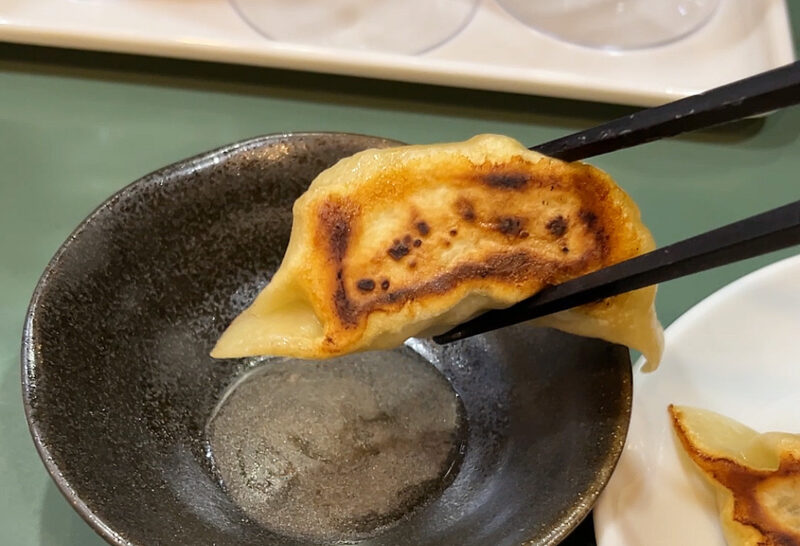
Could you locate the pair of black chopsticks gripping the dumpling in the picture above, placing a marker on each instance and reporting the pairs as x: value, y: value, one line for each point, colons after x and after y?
x: 766, y: 232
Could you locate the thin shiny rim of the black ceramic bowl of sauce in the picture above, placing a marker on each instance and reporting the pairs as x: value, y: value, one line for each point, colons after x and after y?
x: 572, y: 517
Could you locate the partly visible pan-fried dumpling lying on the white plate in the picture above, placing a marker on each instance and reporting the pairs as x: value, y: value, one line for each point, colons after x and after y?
x: 756, y: 476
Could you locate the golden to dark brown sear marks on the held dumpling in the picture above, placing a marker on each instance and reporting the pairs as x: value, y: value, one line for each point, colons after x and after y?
x: 481, y: 208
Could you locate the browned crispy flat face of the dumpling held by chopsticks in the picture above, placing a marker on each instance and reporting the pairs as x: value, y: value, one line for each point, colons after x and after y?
x: 518, y: 226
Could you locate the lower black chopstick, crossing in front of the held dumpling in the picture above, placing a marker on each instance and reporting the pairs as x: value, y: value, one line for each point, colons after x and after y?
x: 773, y: 230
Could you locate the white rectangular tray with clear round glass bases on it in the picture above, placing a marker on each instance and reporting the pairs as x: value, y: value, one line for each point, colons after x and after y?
x: 494, y: 51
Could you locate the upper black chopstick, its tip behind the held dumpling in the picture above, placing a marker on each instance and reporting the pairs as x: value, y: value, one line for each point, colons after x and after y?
x: 758, y: 94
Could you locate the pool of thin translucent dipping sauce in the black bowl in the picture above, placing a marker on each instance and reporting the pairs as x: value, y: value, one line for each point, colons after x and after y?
x: 338, y: 449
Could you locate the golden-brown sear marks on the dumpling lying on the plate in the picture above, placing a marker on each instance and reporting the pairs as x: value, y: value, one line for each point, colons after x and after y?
x: 748, y: 485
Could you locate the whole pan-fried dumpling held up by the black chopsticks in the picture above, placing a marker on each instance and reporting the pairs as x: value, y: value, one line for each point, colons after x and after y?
x: 400, y: 242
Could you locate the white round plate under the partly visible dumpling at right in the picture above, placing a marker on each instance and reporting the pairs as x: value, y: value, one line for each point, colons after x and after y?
x: 736, y: 353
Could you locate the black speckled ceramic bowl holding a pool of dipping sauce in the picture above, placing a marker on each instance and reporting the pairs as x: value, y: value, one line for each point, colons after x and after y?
x: 118, y: 384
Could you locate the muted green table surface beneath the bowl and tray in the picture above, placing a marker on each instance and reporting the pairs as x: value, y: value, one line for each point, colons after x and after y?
x: 77, y: 126
